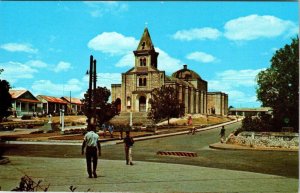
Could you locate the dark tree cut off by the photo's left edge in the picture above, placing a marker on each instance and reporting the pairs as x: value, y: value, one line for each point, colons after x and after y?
x: 5, y: 99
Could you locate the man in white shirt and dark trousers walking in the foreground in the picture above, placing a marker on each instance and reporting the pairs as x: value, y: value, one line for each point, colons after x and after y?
x: 91, y: 144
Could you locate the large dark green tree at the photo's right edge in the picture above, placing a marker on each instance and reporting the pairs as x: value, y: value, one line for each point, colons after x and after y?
x: 278, y: 86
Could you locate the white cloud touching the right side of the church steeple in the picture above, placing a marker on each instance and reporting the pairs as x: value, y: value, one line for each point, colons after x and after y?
x: 167, y: 63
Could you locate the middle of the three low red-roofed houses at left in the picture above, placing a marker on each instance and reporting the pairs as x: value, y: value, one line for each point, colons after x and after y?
x: 52, y: 105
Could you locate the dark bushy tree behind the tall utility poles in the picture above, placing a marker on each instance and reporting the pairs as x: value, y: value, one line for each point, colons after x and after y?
x: 104, y: 110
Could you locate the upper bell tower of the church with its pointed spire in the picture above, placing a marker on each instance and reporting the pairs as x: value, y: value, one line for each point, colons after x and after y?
x: 145, y: 54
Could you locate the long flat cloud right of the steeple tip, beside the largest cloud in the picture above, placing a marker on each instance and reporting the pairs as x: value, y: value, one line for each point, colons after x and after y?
x: 197, y: 34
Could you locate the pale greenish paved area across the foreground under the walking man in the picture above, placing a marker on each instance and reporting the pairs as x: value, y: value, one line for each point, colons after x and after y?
x: 115, y: 176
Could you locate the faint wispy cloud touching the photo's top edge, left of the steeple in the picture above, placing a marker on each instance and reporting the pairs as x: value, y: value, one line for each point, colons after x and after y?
x: 98, y: 9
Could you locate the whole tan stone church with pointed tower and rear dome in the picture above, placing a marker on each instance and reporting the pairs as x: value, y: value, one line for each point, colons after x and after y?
x: 133, y: 94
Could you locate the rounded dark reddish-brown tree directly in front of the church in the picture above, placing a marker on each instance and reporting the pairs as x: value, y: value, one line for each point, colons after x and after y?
x: 165, y: 104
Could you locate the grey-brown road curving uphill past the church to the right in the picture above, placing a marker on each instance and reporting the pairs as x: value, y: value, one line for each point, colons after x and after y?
x: 286, y: 163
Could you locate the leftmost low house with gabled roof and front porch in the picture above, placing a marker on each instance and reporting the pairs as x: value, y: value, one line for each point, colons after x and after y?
x: 24, y: 103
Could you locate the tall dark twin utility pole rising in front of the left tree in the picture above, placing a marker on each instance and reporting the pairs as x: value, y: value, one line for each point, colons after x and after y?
x: 92, y: 92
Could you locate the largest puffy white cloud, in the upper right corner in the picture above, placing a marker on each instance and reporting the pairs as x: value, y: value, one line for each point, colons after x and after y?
x: 255, y: 26
